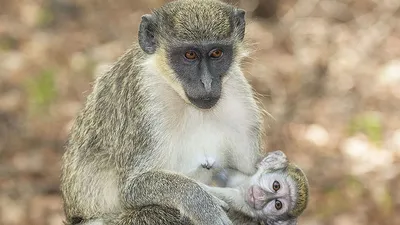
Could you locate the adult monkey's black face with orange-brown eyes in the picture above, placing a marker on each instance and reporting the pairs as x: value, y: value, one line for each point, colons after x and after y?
x: 200, y: 69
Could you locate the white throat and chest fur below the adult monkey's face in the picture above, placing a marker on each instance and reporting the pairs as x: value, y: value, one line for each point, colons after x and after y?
x: 188, y: 134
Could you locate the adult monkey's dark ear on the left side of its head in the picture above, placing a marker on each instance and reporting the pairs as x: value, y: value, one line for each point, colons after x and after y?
x: 147, y: 37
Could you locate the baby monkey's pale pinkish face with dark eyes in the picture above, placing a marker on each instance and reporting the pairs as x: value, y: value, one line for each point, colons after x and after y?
x: 272, y: 195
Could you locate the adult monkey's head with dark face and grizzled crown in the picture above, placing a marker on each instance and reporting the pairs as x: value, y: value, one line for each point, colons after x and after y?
x: 195, y: 43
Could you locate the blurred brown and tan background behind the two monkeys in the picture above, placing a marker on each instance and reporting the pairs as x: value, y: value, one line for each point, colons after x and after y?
x: 327, y: 72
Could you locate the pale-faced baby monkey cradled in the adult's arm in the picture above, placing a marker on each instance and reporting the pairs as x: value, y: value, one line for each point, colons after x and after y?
x: 276, y: 194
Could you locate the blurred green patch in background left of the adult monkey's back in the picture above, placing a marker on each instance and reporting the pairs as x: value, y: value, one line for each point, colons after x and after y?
x: 41, y: 90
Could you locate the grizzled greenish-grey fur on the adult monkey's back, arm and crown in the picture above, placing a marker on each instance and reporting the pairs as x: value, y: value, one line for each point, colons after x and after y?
x: 112, y: 139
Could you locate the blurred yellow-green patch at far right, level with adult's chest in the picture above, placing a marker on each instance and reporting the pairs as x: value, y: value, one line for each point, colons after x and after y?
x: 368, y: 123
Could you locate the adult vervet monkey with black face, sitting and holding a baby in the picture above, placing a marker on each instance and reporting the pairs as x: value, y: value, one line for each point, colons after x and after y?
x: 175, y: 96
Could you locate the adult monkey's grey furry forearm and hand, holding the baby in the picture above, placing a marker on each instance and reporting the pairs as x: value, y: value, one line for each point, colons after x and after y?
x: 176, y: 191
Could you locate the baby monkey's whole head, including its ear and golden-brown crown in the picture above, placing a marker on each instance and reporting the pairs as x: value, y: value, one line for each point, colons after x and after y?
x: 278, y: 192
